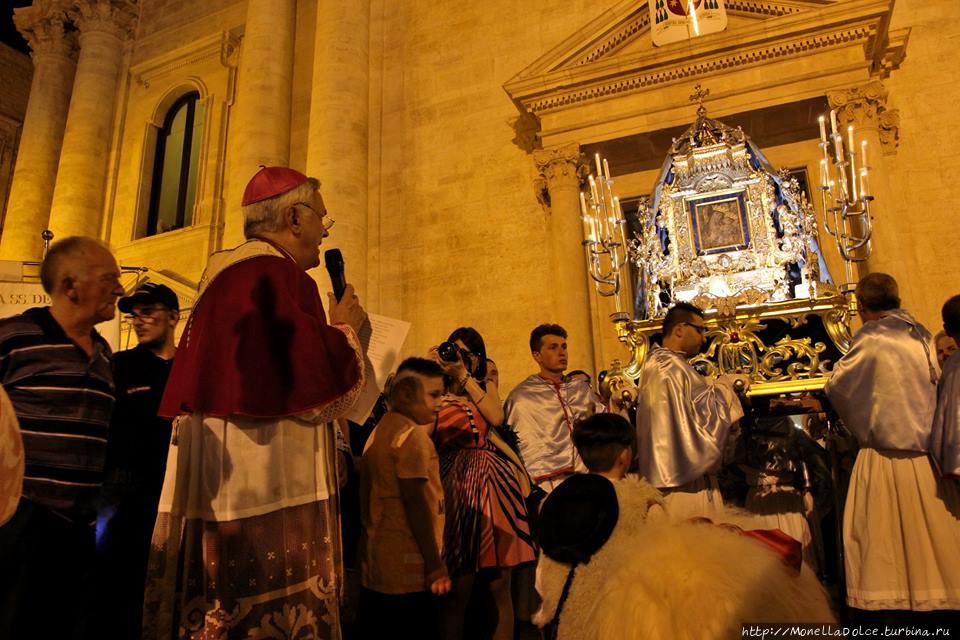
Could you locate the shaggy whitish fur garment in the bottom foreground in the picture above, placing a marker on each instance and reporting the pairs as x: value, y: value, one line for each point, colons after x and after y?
x: 656, y: 579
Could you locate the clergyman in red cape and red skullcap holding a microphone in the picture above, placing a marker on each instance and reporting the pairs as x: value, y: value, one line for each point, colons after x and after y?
x: 247, y: 535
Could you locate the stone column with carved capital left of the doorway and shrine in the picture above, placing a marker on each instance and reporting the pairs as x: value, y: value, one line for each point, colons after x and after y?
x: 559, y: 171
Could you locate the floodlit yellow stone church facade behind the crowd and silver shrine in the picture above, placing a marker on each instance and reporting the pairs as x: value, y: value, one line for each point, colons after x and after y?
x: 449, y: 137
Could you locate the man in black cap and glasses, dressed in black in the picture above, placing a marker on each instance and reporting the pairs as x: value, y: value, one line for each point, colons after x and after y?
x: 136, y: 456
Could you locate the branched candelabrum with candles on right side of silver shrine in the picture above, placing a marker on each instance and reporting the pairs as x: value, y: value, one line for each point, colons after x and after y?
x: 844, y: 193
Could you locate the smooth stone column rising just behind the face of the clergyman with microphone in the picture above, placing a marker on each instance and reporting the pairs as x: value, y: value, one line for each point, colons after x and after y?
x: 337, y: 139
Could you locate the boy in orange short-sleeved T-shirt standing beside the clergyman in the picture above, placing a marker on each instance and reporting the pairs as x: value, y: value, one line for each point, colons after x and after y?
x: 402, y: 511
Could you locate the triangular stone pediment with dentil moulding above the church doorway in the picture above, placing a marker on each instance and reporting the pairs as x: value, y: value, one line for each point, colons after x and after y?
x: 613, y: 53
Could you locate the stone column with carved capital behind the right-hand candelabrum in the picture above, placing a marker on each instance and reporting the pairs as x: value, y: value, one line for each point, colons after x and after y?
x: 865, y: 107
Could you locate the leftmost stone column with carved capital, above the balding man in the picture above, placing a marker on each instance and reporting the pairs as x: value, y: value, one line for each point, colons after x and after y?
x: 54, y: 55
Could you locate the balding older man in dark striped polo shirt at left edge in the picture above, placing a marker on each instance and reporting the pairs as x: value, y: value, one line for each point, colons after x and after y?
x: 57, y: 370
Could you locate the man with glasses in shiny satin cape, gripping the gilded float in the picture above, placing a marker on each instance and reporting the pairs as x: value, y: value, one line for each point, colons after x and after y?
x: 683, y: 419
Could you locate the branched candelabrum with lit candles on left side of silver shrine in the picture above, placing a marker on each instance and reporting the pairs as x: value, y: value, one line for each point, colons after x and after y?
x: 604, y: 232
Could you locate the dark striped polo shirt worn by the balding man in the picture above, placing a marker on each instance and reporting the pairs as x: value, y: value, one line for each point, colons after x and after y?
x: 63, y: 399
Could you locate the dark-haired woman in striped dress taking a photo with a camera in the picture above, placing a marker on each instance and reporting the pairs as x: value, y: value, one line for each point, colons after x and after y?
x: 486, y: 532
